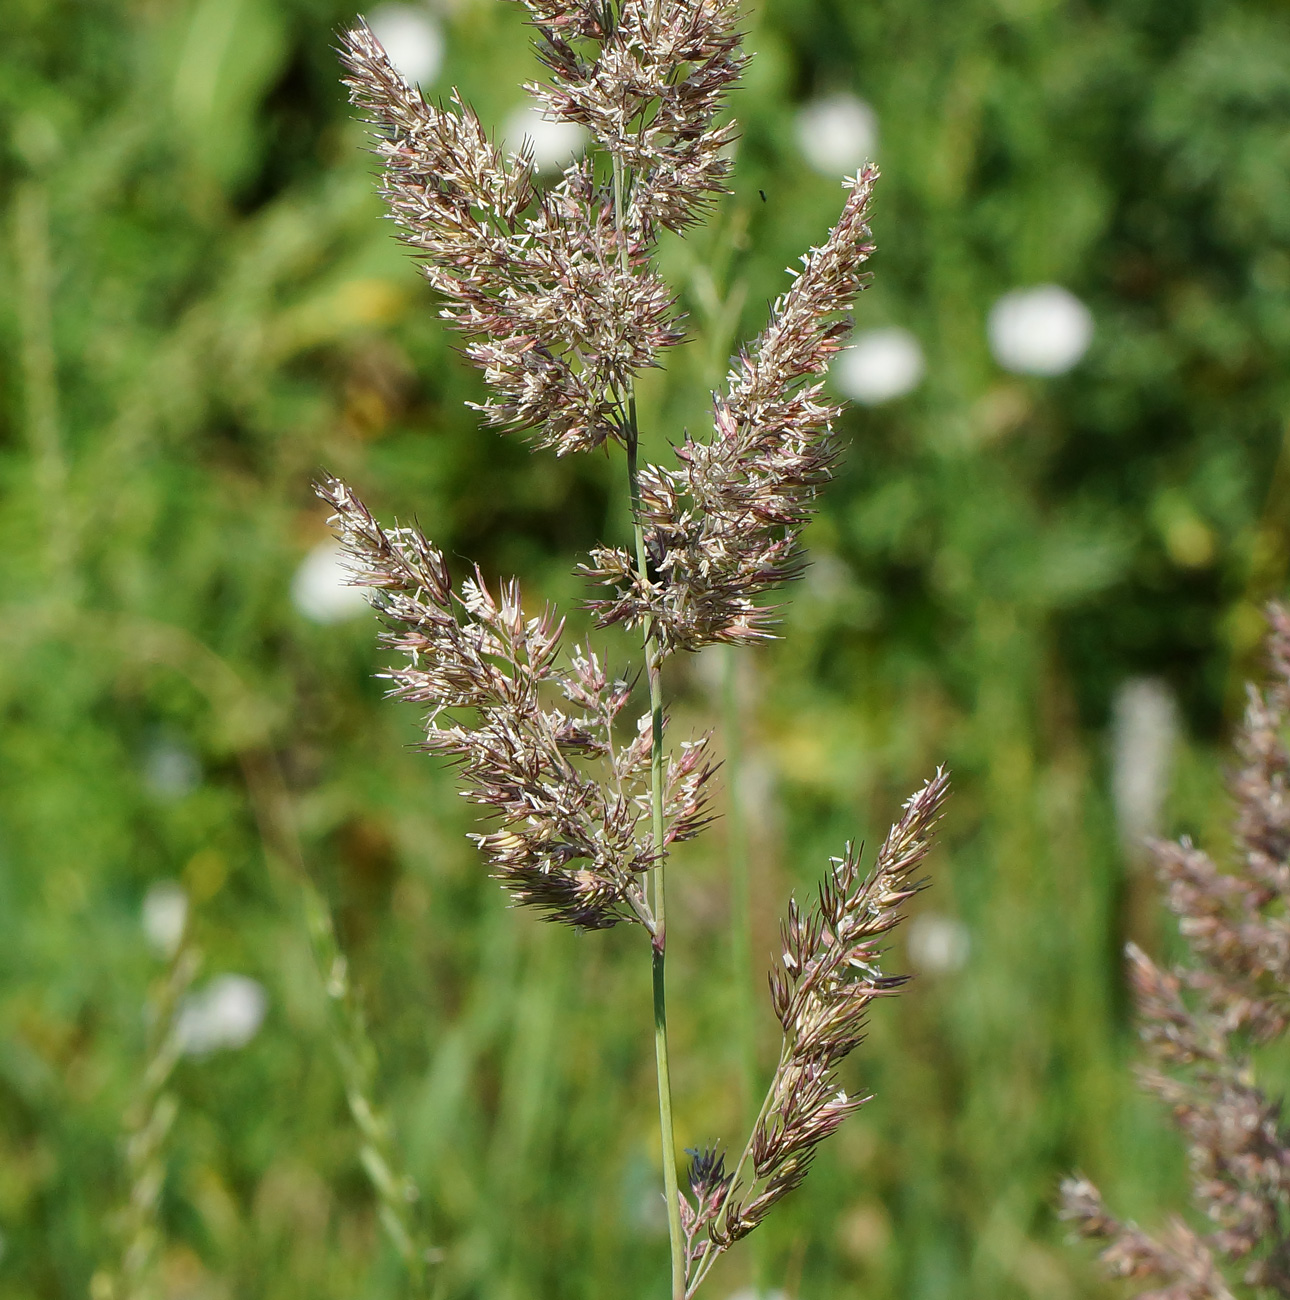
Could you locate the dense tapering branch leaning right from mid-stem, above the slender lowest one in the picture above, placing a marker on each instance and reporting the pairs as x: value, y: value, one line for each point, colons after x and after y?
x: 724, y: 528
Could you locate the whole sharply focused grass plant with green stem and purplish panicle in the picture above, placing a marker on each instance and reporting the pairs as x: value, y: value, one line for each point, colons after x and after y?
x: 561, y: 304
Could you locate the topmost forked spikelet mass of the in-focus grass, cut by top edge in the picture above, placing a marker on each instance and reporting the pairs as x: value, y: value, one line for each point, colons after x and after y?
x: 555, y: 288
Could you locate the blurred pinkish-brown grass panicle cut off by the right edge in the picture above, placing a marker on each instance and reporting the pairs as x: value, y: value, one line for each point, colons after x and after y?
x: 1201, y: 1021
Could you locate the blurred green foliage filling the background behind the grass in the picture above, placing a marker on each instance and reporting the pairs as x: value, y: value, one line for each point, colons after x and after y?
x: 201, y: 307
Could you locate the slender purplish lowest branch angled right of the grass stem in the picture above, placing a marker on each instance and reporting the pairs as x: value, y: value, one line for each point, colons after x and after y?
x: 829, y: 974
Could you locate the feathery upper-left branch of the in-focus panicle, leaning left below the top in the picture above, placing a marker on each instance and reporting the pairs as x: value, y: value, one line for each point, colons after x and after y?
x: 559, y: 322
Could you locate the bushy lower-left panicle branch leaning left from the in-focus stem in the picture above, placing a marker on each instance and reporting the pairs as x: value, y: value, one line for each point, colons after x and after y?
x: 572, y: 843
